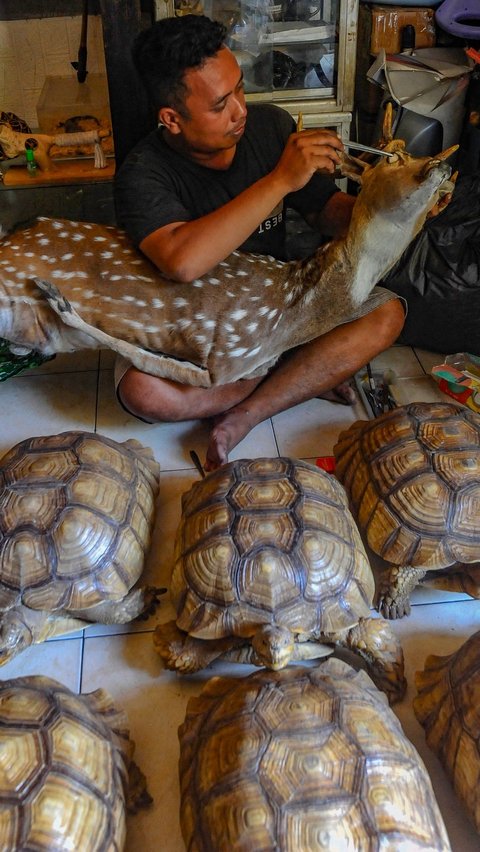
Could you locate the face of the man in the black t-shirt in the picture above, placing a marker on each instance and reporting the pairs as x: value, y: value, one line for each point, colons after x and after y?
x: 216, y: 105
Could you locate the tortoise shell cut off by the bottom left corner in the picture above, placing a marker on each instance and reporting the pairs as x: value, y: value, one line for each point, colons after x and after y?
x: 64, y: 765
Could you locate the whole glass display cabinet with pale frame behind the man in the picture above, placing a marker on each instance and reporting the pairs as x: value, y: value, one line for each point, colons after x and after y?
x: 297, y: 53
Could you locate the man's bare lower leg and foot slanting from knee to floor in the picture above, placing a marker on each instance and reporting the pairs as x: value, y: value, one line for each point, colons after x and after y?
x: 305, y: 373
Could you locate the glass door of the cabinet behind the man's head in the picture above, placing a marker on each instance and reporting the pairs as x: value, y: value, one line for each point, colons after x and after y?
x: 289, y: 46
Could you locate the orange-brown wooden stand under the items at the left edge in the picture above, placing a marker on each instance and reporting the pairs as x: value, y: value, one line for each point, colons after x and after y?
x: 62, y: 172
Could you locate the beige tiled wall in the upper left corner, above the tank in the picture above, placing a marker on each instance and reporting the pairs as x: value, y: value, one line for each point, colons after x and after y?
x: 29, y: 50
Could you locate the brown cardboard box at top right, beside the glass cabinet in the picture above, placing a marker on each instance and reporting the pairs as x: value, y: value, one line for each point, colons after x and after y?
x: 388, y: 22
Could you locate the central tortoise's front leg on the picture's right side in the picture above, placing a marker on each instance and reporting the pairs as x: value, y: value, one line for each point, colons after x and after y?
x: 374, y: 640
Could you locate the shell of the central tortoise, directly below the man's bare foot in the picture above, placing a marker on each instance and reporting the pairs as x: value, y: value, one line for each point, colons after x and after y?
x: 268, y: 541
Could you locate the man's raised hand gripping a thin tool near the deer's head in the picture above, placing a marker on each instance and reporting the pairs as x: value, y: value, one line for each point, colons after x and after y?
x: 308, y: 152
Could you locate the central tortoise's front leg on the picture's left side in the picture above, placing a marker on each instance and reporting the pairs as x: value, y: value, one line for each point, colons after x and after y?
x: 186, y: 654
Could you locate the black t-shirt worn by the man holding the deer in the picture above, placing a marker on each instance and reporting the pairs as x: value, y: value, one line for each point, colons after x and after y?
x: 156, y: 185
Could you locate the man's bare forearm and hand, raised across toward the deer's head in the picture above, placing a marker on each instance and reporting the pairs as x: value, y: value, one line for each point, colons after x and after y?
x: 186, y: 250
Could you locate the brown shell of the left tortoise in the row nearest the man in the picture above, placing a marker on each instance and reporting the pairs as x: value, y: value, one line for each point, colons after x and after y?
x: 76, y: 511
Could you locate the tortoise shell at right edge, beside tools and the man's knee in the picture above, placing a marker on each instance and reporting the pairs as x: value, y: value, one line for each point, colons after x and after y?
x: 413, y: 478
